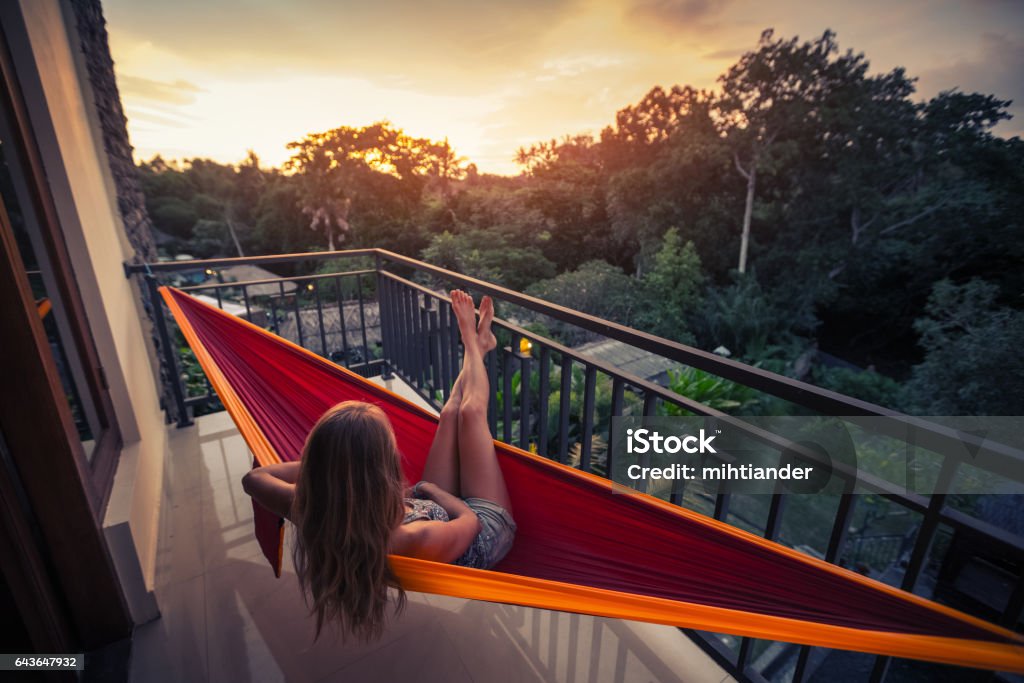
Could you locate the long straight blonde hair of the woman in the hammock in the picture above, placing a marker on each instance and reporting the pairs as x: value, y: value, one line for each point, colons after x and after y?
x: 349, y: 499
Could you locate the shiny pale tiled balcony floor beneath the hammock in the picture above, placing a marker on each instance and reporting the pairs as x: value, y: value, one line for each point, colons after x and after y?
x: 226, y: 618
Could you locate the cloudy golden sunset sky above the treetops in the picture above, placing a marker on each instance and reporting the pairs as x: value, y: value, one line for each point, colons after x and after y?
x: 214, y: 78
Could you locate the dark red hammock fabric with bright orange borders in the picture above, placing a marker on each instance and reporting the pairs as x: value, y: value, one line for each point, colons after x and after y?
x: 580, y: 548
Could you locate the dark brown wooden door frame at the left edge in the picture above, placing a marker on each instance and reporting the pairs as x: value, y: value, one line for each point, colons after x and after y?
x: 61, y: 553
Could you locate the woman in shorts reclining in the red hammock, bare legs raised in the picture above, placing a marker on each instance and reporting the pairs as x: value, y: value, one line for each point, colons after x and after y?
x: 348, y: 501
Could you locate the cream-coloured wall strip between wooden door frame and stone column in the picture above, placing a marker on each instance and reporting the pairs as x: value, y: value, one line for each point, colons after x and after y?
x: 60, y: 105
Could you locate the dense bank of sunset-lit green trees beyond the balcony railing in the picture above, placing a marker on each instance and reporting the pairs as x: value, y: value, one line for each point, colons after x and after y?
x: 883, y: 230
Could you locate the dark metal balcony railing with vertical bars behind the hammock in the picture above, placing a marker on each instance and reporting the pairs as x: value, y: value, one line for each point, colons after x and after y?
x: 389, y: 316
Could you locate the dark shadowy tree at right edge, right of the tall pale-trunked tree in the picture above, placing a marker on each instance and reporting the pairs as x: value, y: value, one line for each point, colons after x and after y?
x: 916, y: 193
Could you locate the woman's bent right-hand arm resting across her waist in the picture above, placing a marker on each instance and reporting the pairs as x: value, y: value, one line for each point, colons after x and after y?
x: 441, y: 542
